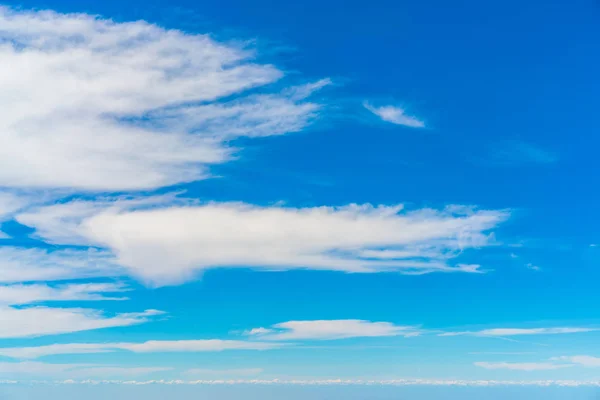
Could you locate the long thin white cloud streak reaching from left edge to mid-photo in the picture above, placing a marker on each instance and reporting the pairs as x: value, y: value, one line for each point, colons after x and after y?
x: 151, y: 346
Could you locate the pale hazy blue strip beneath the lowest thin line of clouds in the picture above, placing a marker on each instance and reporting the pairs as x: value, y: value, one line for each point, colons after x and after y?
x: 155, y: 392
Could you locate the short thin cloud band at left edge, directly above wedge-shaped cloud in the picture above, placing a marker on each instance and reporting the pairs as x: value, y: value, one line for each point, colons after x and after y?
x: 33, y: 293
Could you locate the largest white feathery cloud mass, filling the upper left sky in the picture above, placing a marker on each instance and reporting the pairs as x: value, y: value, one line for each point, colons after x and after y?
x: 91, y: 104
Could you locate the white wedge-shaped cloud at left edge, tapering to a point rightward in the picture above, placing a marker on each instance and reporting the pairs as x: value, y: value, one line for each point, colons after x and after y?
x: 38, y: 321
